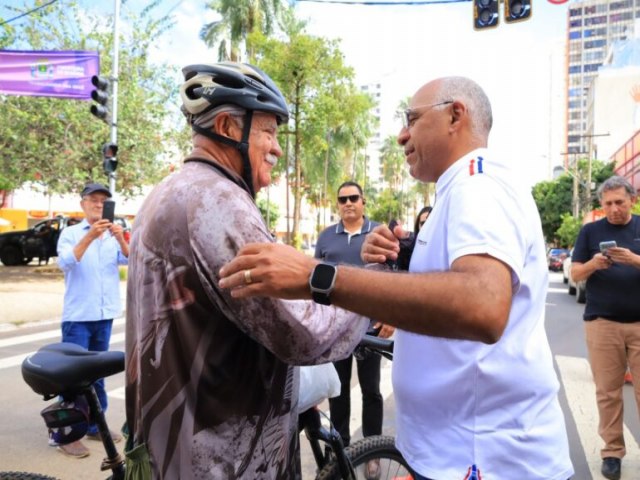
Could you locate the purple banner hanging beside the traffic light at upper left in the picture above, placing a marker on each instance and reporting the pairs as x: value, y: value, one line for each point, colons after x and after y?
x: 62, y: 74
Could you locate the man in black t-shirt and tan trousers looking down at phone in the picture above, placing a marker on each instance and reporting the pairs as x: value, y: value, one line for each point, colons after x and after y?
x: 607, y: 256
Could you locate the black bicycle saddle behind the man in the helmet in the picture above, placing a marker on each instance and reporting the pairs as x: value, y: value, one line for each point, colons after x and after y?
x: 66, y: 367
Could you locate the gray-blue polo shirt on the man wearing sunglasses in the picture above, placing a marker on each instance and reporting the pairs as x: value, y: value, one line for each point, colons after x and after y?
x: 335, y: 244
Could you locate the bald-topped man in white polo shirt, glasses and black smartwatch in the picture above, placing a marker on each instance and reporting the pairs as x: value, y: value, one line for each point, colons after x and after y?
x: 474, y: 384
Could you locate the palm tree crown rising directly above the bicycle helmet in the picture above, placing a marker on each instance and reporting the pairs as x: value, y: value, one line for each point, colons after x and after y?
x: 238, y: 19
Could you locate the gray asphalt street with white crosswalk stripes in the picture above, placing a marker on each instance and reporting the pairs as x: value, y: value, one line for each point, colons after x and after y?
x: 23, y: 434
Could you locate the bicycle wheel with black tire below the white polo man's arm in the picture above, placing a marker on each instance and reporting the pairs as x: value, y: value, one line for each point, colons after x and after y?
x: 379, y: 447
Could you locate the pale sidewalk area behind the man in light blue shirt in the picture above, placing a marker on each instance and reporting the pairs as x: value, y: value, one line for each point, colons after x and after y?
x: 32, y: 295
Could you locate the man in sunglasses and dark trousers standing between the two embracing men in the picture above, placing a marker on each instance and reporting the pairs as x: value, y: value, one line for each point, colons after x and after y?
x: 341, y: 243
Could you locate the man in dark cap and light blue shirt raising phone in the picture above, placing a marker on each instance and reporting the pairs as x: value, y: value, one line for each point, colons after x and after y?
x: 89, y: 254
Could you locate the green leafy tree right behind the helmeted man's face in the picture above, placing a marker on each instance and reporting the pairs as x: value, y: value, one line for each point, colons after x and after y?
x: 330, y: 118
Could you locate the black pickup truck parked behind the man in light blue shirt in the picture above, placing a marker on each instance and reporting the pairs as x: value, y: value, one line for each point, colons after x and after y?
x: 40, y: 241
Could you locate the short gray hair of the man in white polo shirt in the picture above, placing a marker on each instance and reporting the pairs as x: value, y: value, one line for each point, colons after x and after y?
x: 473, y: 96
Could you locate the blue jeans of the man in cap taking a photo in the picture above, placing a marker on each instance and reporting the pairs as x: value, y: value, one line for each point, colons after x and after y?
x: 93, y: 336
